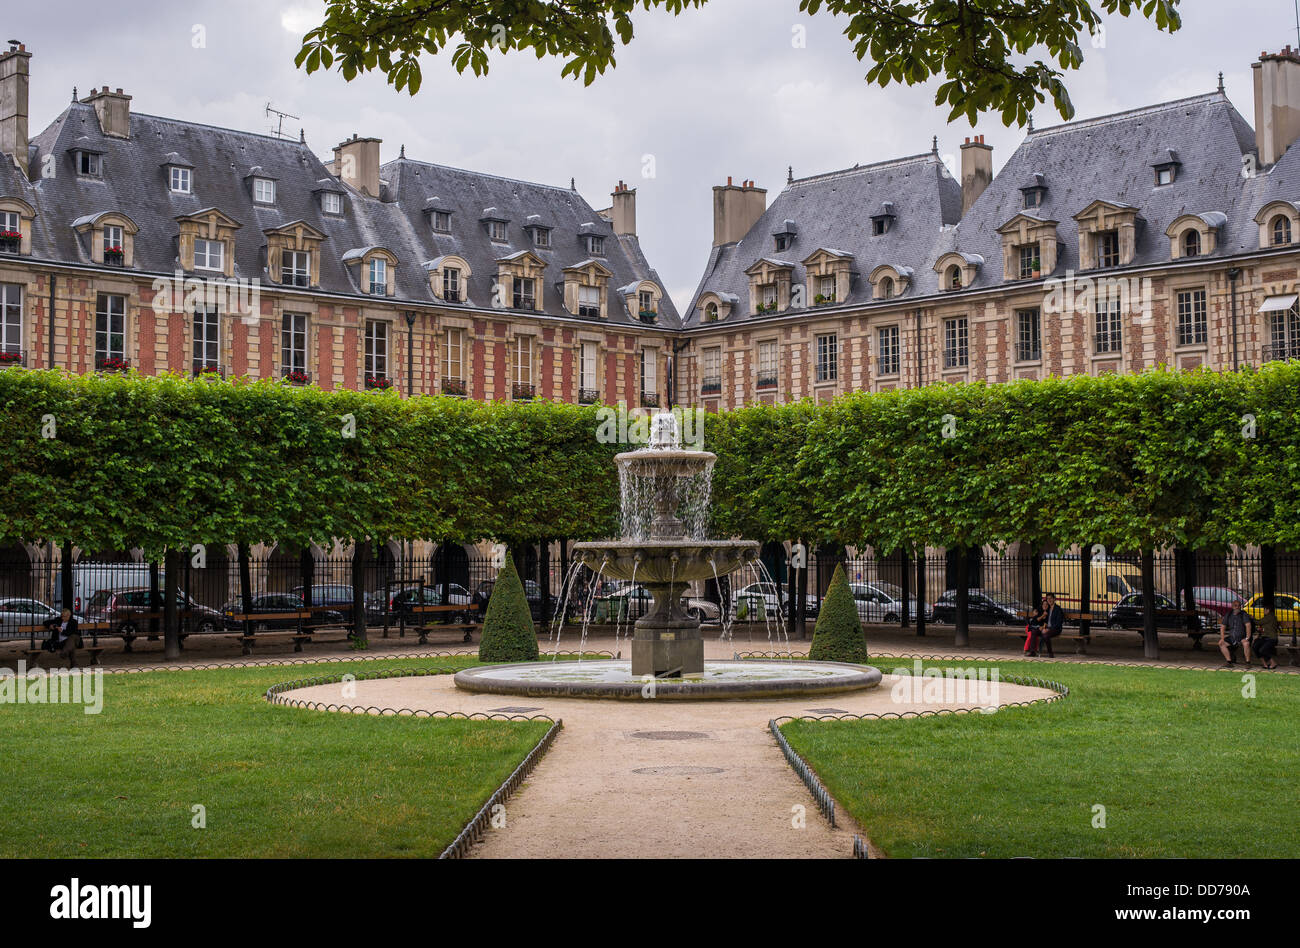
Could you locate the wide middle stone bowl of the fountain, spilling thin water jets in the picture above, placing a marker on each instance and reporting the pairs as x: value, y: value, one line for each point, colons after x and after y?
x: 666, y: 561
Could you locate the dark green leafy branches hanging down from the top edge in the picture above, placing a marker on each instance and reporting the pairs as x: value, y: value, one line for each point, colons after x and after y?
x: 983, y: 51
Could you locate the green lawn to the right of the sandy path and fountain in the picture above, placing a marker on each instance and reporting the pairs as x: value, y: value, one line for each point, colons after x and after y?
x: 1184, y: 764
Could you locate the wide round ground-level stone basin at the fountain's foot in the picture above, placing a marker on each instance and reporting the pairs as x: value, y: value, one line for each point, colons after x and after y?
x: 720, y: 681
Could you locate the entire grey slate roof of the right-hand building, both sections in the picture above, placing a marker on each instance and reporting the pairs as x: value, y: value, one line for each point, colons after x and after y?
x: 1110, y: 158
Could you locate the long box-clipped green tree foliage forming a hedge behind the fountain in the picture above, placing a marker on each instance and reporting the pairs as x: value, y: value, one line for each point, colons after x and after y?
x: 1126, y: 461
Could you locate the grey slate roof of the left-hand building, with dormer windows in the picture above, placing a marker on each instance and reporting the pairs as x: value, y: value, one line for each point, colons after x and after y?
x: 135, y: 183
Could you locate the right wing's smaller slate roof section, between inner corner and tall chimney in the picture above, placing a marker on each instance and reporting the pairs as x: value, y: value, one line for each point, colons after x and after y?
x: 834, y: 213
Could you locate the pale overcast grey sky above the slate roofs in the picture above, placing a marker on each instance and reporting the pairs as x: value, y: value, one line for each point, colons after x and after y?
x: 727, y: 90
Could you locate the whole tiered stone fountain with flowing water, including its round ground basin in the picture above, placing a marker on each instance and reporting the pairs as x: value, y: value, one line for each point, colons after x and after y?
x: 665, y: 501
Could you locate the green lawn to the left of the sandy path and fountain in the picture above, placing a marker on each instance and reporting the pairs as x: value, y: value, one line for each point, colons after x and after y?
x: 276, y: 782
